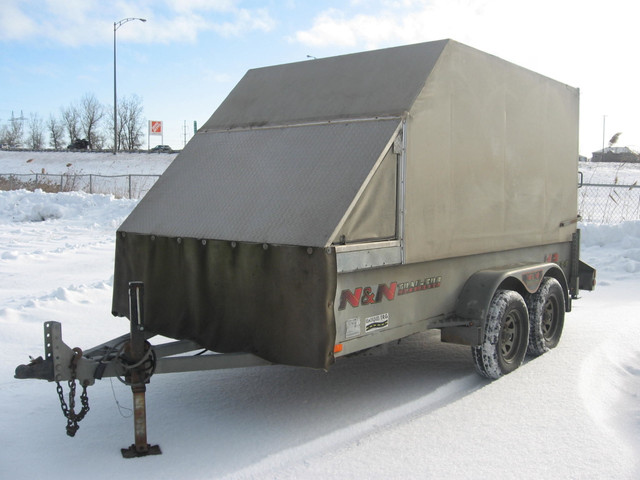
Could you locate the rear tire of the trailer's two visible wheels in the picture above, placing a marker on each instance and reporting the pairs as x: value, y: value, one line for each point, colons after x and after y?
x: 546, y: 317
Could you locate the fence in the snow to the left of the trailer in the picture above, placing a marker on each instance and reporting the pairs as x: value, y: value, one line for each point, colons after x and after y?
x: 121, y: 186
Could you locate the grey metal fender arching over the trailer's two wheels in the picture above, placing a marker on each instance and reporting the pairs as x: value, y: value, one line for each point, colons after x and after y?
x: 474, y: 300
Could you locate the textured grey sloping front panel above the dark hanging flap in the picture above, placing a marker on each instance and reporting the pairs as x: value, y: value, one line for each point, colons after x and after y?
x: 287, y: 186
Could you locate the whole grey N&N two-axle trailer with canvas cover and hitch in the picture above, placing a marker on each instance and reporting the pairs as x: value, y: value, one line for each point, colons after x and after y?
x: 333, y: 205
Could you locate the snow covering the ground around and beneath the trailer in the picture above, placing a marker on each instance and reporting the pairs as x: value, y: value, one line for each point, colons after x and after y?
x: 416, y: 409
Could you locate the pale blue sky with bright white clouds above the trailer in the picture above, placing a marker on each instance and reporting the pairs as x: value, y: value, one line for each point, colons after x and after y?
x: 189, y: 54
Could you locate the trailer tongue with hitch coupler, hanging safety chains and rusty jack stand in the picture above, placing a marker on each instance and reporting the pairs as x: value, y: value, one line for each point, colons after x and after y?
x: 130, y: 358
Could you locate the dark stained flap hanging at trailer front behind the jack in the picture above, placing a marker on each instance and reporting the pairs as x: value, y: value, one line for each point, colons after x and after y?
x: 276, y: 303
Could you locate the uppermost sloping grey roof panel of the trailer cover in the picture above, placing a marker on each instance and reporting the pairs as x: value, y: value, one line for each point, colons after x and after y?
x: 361, y: 85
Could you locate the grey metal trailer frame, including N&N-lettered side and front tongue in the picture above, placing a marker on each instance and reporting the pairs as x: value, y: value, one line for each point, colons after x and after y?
x: 133, y: 360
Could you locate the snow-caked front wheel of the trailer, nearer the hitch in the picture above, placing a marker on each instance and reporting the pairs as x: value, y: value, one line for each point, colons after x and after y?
x: 506, y: 336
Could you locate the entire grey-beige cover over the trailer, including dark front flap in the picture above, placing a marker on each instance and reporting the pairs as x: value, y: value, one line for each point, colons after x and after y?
x: 312, y: 170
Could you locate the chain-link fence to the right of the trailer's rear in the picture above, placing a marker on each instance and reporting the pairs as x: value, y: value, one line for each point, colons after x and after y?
x: 608, y: 203
